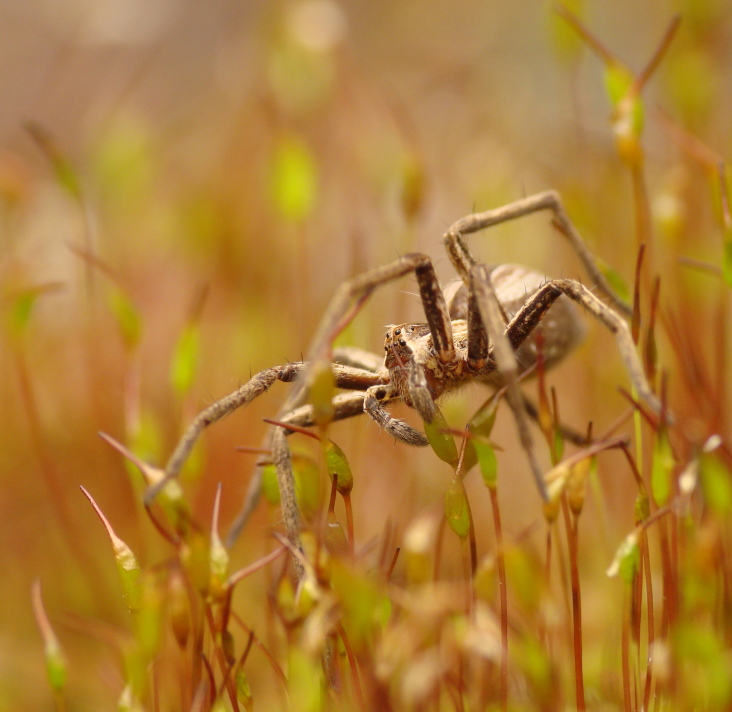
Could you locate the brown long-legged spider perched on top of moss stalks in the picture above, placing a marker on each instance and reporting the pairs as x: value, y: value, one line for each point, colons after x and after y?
x: 423, y: 361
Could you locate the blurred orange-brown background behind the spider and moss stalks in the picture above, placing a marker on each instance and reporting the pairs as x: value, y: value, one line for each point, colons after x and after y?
x: 183, y: 185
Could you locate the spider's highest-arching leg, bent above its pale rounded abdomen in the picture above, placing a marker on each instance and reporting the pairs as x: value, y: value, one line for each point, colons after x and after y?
x: 463, y: 260
